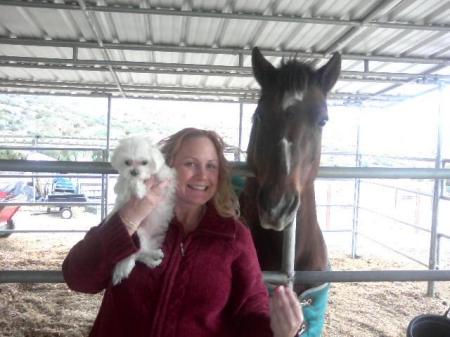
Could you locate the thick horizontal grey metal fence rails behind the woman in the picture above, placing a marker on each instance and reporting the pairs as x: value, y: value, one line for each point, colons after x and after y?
x: 11, y: 276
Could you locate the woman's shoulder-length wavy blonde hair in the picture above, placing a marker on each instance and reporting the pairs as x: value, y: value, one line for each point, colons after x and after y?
x: 225, y: 200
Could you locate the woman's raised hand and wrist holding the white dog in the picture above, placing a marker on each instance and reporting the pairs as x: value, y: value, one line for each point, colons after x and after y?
x: 136, y: 210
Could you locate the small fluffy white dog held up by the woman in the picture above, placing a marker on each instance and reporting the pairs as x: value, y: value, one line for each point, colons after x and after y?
x: 137, y: 159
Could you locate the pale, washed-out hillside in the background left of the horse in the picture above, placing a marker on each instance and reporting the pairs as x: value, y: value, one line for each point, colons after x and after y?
x: 69, y: 121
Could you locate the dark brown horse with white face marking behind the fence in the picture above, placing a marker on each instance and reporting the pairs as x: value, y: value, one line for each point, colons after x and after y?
x: 284, y: 154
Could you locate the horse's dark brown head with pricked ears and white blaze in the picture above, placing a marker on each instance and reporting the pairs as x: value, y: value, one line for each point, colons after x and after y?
x: 285, y: 141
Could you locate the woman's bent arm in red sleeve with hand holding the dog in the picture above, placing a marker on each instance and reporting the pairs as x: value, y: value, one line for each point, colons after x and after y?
x: 89, y: 265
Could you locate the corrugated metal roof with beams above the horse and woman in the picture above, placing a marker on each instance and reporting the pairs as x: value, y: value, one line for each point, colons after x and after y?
x: 200, y: 49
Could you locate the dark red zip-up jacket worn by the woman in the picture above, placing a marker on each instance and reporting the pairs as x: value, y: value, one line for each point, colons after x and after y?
x: 209, y: 283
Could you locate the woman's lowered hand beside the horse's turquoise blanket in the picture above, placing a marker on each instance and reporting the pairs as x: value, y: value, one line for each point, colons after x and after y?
x: 286, y: 316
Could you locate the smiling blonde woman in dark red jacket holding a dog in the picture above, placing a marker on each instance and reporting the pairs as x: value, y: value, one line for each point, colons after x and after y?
x: 209, y: 283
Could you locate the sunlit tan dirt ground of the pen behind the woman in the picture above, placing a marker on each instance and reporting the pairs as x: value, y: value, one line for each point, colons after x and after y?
x: 48, y: 310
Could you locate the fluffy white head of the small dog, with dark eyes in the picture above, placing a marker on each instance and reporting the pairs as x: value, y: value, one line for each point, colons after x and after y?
x: 137, y: 158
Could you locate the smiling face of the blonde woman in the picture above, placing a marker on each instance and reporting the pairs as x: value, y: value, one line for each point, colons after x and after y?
x: 197, y: 166
